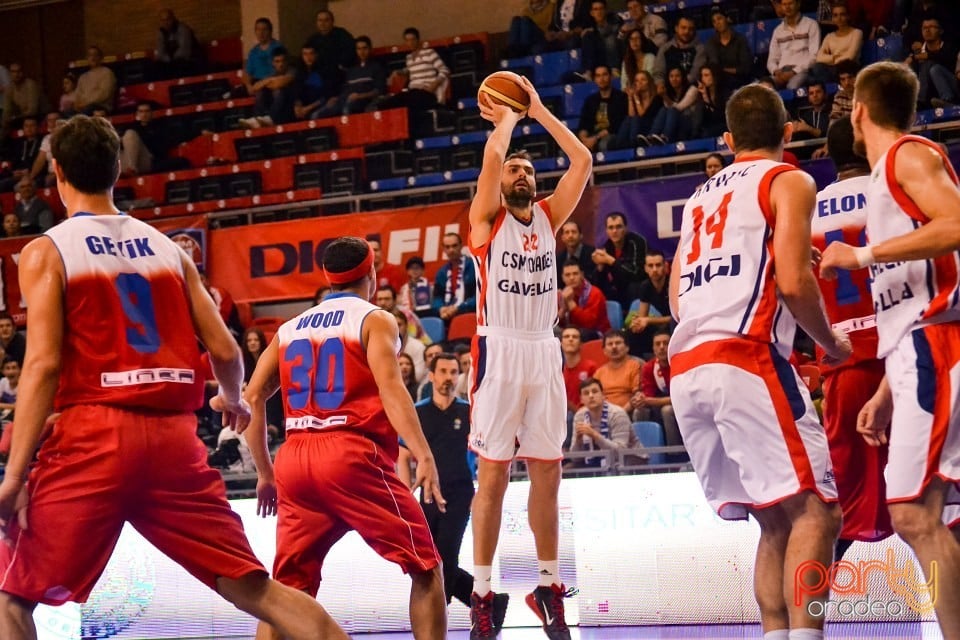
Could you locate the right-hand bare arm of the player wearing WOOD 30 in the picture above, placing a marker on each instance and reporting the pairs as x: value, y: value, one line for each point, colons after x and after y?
x: 379, y: 334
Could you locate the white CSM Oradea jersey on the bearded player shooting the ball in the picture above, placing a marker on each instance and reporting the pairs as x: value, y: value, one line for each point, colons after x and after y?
x: 516, y: 274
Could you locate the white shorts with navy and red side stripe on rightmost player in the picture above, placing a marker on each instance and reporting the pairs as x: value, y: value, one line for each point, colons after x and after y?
x: 924, y: 375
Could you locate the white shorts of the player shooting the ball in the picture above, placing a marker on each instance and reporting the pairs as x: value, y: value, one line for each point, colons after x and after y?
x: 517, y: 395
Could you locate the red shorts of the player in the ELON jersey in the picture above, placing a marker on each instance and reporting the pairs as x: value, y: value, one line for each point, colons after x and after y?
x: 858, y: 466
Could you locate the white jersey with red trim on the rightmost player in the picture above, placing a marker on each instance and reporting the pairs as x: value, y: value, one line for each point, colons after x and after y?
x: 909, y: 294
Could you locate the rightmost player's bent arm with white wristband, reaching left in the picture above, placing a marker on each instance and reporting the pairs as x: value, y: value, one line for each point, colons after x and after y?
x: 921, y: 173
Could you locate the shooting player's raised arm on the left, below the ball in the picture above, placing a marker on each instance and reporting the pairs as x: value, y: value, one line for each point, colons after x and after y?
x: 486, y: 201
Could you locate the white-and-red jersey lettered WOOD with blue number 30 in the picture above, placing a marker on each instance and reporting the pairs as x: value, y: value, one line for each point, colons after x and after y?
x: 324, y: 375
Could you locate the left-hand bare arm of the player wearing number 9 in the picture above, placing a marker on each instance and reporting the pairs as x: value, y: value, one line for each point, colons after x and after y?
x: 41, y: 282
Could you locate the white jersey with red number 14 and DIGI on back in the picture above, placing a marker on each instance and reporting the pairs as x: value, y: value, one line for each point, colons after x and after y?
x: 725, y: 258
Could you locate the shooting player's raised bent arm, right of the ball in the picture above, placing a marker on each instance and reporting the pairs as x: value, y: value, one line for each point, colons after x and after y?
x: 565, y: 197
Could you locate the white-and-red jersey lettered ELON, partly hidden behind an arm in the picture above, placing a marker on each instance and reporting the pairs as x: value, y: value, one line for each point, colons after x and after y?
x: 841, y: 215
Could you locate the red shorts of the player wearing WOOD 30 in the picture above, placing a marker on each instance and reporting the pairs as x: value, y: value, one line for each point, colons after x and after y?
x: 331, y: 483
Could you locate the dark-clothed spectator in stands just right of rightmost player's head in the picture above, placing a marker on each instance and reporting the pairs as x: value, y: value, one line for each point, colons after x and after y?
x: 935, y: 63
